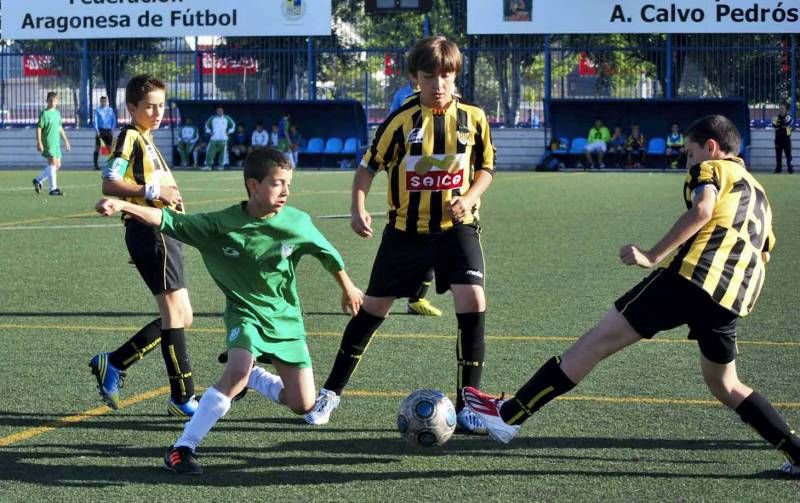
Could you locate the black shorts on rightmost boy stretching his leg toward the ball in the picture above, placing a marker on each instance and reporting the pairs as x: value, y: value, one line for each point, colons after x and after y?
x: 665, y: 300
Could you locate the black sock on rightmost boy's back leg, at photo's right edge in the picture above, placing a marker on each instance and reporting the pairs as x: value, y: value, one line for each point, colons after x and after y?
x: 758, y: 413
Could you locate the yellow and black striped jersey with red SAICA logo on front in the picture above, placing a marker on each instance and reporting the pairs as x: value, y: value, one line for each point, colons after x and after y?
x: 430, y: 157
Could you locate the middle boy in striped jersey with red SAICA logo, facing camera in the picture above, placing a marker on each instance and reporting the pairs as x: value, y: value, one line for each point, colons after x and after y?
x: 437, y: 152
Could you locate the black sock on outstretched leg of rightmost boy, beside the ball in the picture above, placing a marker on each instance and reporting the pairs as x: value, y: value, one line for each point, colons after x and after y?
x: 547, y: 383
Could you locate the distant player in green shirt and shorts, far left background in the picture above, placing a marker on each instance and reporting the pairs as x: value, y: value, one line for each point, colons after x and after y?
x: 49, y: 133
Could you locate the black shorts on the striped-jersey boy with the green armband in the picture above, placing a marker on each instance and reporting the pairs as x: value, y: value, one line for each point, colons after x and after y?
x: 158, y: 257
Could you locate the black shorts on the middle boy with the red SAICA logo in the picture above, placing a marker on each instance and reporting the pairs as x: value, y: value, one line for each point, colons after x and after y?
x: 403, y: 260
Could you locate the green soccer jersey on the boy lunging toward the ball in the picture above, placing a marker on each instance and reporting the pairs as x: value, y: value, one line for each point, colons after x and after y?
x: 253, y: 262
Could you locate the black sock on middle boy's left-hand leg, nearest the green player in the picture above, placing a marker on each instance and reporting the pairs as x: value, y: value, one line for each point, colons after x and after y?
x: 355, y: 340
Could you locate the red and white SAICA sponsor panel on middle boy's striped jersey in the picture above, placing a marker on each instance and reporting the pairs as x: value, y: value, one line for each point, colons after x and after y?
x: 434, y: 173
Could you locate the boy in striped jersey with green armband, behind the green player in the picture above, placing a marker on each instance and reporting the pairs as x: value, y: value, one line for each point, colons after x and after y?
x: 137, y: 172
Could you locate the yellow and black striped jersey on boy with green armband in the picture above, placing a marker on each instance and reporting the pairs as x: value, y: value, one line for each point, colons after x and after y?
x: 136, y: 160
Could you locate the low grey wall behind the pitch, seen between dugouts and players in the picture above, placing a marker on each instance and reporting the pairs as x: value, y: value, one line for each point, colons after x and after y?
x: 516, y: 148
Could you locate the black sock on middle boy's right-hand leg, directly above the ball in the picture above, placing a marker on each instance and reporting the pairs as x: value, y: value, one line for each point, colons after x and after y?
x: 470, y: 351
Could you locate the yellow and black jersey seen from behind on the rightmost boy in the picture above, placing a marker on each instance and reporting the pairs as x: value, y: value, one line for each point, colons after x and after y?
x: 724, y: 257
